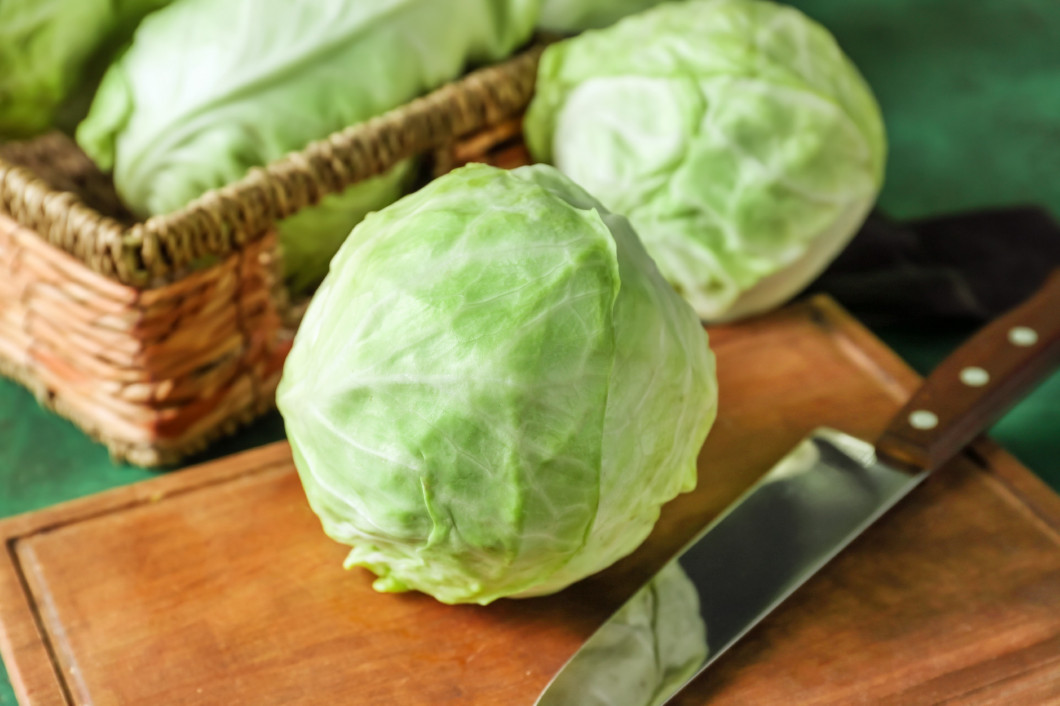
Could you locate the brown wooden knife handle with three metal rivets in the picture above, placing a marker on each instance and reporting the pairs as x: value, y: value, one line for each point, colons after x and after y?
x: 977, y: 384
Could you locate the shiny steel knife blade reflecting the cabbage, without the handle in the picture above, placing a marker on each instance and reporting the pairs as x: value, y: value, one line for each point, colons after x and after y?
x: 736, y: 572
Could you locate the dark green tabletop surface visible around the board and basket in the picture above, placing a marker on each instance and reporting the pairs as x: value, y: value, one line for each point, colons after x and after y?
x: 970, y: 92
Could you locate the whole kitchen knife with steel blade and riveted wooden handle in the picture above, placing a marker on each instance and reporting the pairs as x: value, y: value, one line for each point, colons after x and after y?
x: 801, y: 515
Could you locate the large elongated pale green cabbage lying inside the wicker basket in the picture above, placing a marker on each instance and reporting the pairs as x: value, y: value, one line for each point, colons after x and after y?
x: 209, y: 90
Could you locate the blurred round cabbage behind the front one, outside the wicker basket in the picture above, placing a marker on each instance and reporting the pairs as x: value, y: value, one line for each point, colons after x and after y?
x: 736, y: 136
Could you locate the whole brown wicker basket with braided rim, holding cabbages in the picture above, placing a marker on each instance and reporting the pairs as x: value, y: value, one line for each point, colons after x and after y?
x: 110, y: 324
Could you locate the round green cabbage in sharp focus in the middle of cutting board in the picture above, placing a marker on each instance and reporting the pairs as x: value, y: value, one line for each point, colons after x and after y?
x: 494, y: 391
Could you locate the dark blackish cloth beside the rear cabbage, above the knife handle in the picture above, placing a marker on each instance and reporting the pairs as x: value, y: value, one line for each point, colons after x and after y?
x: 962, y: 270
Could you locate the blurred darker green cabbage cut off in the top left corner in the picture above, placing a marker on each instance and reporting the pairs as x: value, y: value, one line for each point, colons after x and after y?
x: 52, y: 55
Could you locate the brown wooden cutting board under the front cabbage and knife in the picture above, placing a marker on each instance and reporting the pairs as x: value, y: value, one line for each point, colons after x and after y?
x: 216, y: 585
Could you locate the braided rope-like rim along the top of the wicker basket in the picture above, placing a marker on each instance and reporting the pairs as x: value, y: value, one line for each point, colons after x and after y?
x: 160, y: 250
